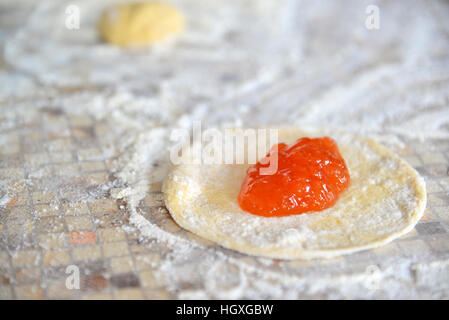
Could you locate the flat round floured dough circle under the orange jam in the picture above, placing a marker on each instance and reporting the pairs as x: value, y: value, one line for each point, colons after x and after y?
x: 385, y: 200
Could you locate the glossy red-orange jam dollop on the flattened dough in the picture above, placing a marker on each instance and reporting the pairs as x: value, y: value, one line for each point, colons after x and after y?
x: 311, y: 174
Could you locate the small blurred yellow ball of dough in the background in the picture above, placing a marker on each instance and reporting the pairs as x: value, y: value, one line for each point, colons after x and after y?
x: 140, y: 24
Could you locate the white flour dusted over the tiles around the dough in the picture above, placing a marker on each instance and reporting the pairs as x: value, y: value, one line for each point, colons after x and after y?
x: 237, y: 65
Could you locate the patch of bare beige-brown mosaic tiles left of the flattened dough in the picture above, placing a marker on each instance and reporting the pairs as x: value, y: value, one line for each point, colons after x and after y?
x: 41, y: 233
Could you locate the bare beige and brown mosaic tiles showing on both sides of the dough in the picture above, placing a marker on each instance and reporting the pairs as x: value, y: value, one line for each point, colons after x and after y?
x: 42, y: 233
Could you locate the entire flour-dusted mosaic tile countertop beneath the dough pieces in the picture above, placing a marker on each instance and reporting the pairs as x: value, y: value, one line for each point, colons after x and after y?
x: 85, y: 135
